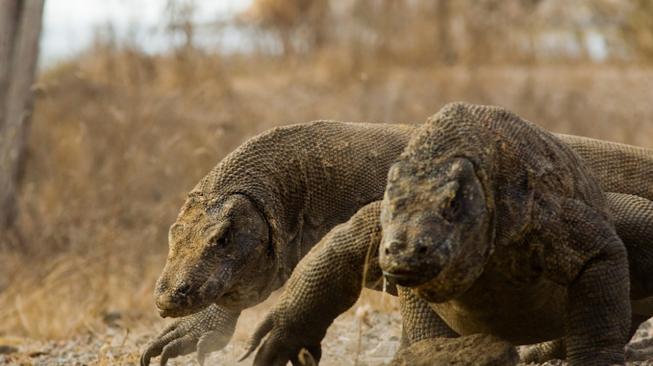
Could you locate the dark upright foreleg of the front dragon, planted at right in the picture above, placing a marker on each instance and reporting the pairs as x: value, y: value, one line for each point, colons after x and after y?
x: 597, y: 321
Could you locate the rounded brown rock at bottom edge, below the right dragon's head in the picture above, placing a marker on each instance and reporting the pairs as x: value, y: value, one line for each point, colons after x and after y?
x: 477, y: 350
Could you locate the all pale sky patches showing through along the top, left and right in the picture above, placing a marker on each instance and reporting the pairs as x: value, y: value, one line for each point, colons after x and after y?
x: 69, y: 25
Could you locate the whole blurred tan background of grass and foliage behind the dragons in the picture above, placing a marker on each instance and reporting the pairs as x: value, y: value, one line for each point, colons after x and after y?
x: 120, y: 134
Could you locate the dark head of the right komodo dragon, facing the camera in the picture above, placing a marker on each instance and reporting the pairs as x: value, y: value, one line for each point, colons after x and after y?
x: 433, y: 224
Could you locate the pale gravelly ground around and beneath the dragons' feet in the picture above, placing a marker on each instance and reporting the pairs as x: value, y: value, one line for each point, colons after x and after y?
x: 363, y: 337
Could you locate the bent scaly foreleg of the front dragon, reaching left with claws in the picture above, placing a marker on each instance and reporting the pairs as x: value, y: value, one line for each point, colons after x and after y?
x: 325, y: 283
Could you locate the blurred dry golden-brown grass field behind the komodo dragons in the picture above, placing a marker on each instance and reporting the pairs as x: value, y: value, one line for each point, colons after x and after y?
x: 119, y: 137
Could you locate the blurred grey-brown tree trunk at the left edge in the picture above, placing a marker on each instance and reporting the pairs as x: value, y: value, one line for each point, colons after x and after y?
x: 20, y: 28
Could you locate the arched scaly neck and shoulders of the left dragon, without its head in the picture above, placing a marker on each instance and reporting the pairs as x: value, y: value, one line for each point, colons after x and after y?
x: 306, y: 179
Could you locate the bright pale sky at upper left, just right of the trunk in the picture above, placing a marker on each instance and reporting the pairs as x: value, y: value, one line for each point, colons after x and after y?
x: 68, y: 25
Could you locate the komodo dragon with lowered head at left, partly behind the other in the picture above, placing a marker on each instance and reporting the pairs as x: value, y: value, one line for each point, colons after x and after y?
x: 246, y: 224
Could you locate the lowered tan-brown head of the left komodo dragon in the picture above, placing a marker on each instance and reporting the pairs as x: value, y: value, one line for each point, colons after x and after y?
x: 218, y: 254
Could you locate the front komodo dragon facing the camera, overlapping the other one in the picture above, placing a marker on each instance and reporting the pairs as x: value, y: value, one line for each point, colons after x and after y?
x: 500, y: 228
